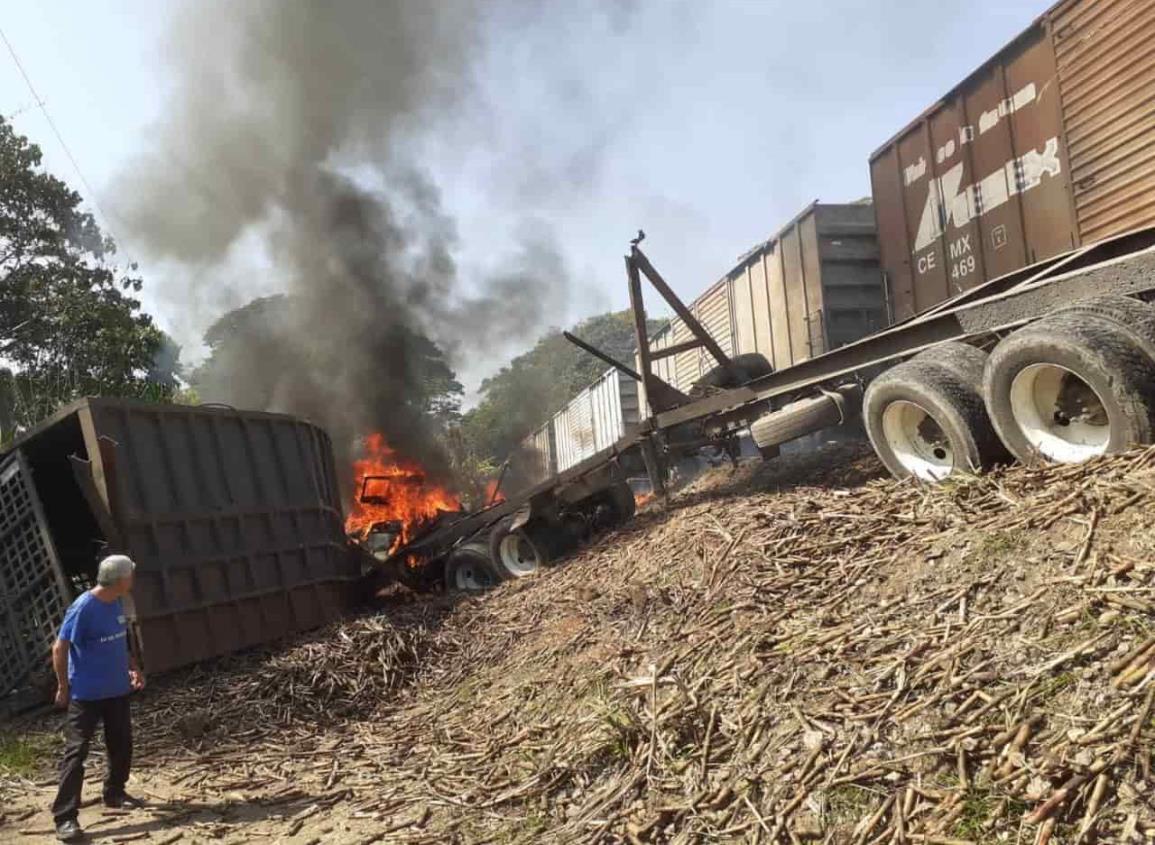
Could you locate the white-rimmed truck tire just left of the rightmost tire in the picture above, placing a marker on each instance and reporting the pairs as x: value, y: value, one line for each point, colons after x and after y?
x: 928, y: 420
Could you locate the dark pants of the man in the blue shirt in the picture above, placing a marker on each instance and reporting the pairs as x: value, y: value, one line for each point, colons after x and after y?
x: 118, y: 741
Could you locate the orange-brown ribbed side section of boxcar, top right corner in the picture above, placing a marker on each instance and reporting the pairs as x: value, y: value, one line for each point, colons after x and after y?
x: 1106, y: 59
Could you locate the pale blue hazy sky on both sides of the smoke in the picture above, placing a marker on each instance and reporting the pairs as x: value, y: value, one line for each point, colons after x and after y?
x: 709, y: 124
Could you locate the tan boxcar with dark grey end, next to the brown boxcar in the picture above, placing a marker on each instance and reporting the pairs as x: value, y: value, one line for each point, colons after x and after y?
x: 811, y: 288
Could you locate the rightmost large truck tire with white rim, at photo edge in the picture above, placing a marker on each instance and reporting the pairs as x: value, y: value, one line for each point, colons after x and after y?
x: 1070, y: 387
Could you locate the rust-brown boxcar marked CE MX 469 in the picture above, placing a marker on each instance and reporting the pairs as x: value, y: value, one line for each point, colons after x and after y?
x: 1047, y: 147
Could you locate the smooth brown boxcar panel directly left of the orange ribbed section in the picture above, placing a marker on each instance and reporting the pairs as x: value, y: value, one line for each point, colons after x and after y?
x: 1041, y: 166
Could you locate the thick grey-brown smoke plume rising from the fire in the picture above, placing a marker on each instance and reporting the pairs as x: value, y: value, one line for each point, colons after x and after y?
x: 299, y: 128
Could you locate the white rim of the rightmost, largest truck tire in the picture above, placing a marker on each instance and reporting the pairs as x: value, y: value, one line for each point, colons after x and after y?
x: 1060, y: 415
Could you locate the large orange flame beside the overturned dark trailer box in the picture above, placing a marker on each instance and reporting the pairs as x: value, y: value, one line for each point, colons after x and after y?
x: 397, y: 491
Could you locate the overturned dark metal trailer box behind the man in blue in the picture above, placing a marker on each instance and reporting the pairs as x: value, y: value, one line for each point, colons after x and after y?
x: 234, y: 519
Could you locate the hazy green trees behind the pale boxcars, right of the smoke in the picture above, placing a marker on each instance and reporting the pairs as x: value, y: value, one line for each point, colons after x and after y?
x: 535, y: 386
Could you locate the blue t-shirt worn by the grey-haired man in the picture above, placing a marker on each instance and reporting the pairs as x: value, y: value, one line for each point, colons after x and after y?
x: 98, y: 649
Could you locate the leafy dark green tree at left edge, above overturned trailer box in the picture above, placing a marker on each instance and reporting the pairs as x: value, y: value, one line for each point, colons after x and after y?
x: 70, y: 323
